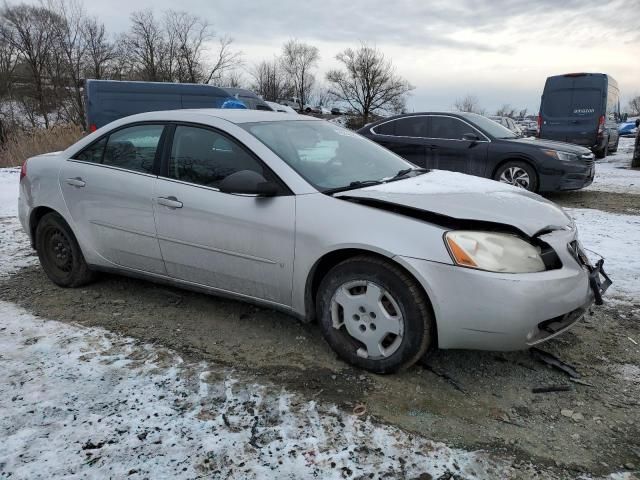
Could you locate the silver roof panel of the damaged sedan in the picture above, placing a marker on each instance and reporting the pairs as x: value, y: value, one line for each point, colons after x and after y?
x: 229, y: 114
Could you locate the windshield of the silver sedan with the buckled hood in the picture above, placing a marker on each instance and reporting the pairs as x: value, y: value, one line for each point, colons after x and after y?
x: 328, y: 156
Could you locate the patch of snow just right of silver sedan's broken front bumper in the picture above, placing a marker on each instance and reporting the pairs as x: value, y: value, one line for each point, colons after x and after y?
x: 615, y: 237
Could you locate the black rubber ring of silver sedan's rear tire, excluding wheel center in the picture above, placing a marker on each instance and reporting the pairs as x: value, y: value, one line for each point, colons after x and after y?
x: 76, y: 275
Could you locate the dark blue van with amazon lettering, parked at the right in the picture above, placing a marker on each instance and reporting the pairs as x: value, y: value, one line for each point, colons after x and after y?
x: 581, y: 108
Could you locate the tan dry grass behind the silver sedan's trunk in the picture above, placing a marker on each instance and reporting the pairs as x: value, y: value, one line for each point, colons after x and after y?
x: 22, y: 145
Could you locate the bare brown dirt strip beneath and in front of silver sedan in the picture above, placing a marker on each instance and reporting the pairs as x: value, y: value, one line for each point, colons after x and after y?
x: 464, y: 398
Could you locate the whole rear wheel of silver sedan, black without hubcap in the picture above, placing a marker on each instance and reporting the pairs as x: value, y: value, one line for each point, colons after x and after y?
x: 60, y: 254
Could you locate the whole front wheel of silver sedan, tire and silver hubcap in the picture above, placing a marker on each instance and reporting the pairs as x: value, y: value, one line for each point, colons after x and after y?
x: 379, y: 303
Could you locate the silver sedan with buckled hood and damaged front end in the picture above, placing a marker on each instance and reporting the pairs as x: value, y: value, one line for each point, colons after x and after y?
x: 301, y: 215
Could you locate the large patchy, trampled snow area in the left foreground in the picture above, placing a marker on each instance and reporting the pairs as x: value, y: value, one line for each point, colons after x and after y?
x: 82, y: 402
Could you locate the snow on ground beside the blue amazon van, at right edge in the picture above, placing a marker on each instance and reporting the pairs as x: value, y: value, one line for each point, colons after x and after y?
x: 613, y: 173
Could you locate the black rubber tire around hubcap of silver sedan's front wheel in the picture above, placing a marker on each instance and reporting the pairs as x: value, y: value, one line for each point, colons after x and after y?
x: 418, y: 323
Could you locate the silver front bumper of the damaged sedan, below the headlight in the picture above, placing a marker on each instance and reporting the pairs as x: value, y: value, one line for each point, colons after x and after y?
x: 494, y: 311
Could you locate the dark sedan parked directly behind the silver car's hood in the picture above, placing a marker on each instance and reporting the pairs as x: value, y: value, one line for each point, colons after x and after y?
x: 473, y: 144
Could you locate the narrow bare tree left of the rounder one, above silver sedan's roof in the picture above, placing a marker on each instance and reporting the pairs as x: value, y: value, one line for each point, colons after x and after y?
x: 298, y: 61
